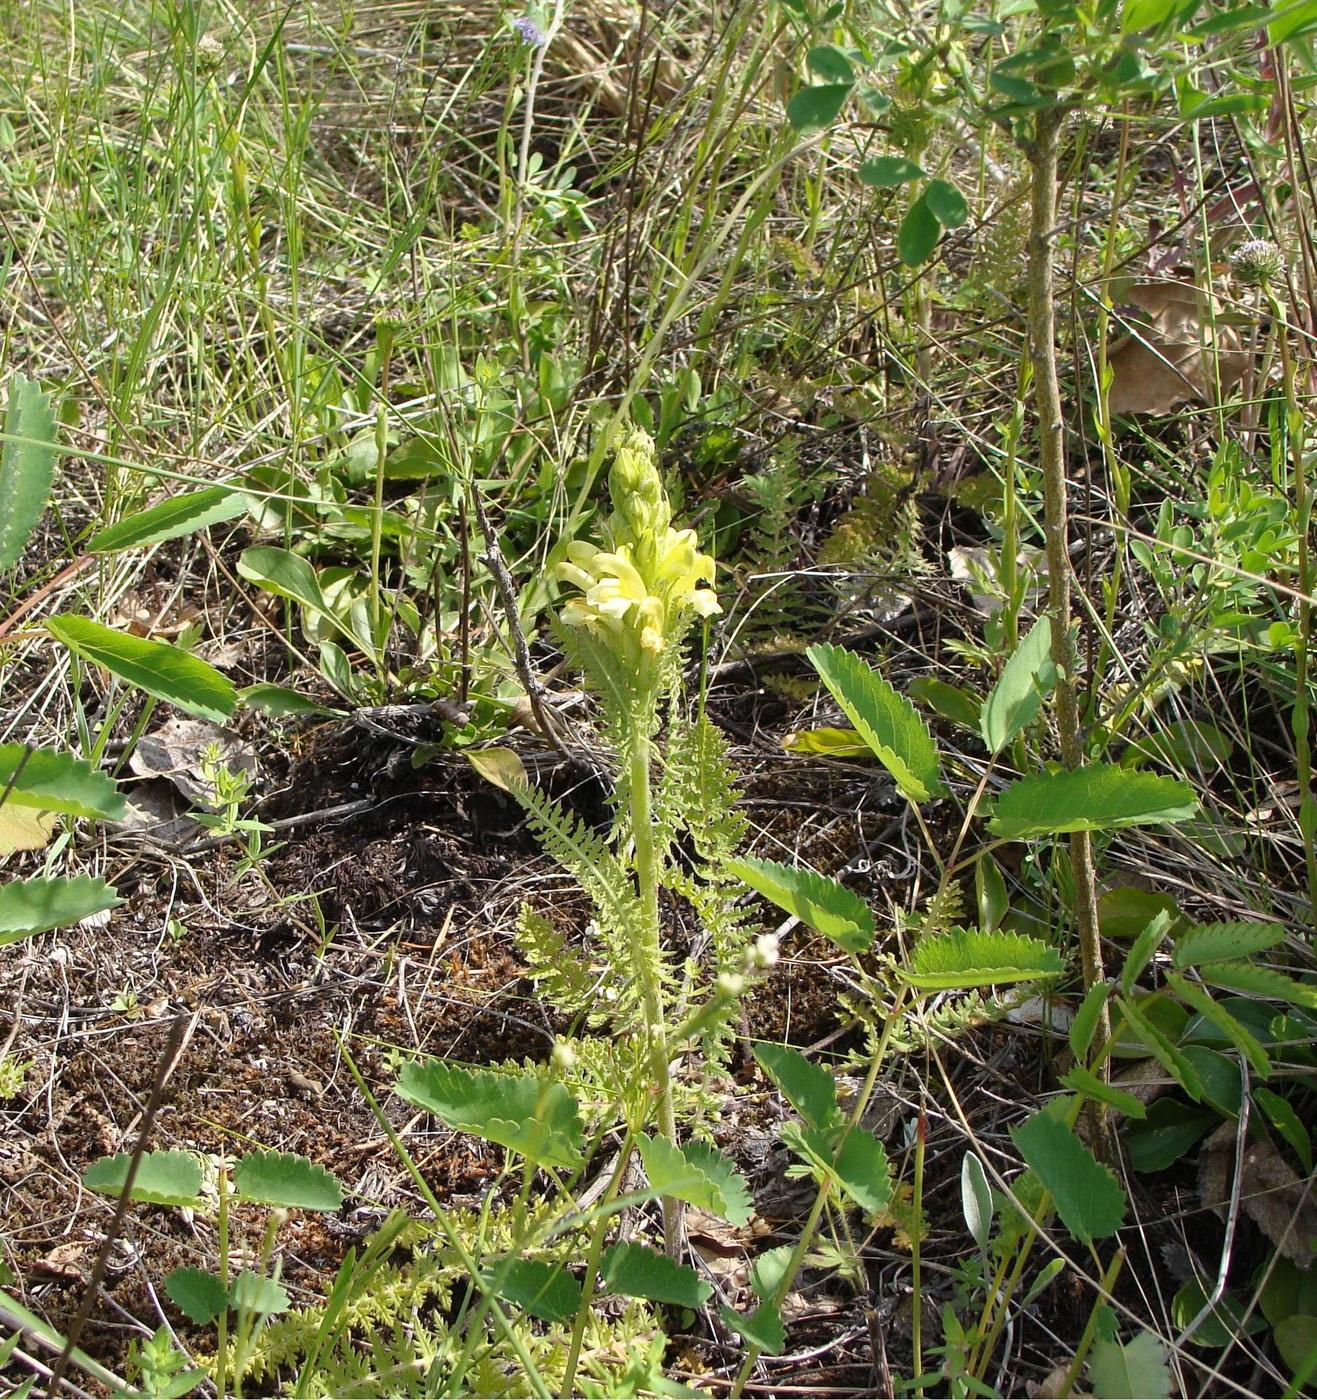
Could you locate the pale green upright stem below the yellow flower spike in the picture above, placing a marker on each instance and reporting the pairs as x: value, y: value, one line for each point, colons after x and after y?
x: 650, y: 962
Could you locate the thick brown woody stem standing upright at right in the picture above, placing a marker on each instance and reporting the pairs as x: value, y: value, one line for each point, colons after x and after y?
x: 1042, y: 155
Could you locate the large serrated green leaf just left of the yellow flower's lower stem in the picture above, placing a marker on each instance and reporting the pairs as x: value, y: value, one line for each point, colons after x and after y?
x: 521, y: 1112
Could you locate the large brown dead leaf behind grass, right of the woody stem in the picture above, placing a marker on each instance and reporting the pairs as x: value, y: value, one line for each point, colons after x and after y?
x: 1165, y: 360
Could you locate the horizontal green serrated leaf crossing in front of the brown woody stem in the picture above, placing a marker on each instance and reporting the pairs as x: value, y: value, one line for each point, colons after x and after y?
x: 1102, y: 797
